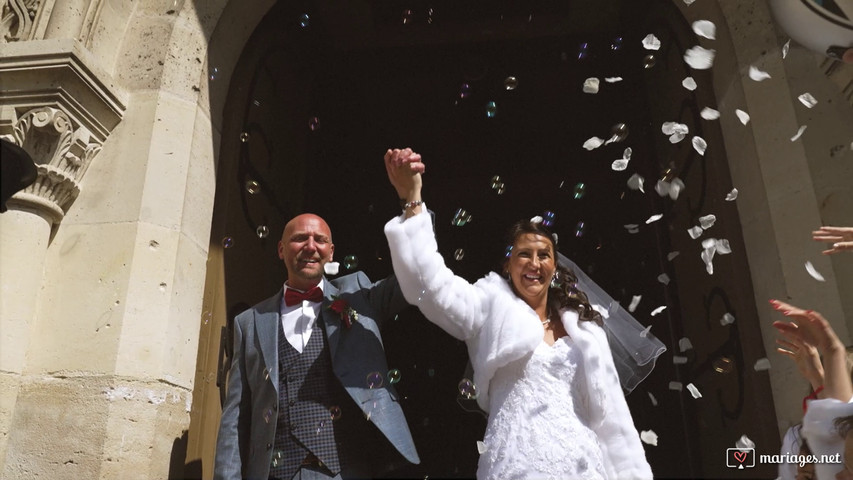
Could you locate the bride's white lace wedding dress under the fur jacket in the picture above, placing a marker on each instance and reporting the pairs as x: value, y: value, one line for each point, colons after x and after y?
x: 538, y: 426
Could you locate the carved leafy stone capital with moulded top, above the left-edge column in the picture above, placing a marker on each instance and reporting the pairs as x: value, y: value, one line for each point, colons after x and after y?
x: 61, y: 111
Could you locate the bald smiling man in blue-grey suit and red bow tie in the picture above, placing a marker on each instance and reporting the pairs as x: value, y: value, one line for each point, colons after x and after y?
x: 307, y: 396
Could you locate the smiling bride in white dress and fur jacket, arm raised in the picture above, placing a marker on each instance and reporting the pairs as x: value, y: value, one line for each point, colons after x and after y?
x: 542, y: 363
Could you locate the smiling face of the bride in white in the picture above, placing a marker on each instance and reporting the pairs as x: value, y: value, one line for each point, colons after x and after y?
x: 531, y: 267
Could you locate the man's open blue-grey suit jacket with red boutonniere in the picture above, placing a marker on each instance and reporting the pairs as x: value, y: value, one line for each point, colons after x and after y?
x: 244, y: 444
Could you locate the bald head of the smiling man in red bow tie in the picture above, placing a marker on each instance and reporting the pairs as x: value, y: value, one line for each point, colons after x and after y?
x: 305, y: 247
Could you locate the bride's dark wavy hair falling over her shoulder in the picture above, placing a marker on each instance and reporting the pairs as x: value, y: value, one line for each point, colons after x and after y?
x: 563, y: 292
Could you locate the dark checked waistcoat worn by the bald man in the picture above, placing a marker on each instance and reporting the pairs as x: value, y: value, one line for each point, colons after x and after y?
x: 310, y: 400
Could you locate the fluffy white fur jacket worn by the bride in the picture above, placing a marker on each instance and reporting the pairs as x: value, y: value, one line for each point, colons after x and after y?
x: 499, y: 327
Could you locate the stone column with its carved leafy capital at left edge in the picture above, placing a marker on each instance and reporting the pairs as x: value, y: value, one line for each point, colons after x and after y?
x: 58, y: 110
